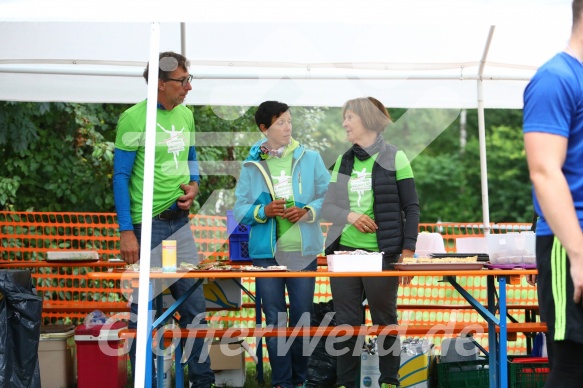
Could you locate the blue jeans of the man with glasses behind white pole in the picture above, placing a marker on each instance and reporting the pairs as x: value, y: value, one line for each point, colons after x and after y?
x: 199, y: 372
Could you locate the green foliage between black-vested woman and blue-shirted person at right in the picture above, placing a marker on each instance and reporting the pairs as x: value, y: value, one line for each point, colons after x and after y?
x: 449, y: 181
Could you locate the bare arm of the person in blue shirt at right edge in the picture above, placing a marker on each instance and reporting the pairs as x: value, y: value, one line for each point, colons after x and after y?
x: 546, y: 154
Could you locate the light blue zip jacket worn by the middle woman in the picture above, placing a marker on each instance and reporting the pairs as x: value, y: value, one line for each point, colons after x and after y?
x: 254, y: 191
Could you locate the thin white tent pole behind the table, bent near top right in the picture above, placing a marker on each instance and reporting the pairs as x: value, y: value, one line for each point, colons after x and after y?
x: 482, y: 137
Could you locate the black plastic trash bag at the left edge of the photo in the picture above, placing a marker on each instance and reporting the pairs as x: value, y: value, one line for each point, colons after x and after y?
x: 20, y: 321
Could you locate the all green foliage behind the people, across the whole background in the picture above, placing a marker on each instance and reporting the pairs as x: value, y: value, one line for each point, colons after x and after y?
x: 59, y: 157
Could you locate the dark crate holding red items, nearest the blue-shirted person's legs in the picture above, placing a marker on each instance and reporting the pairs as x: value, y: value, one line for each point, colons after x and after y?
x: 531, y: 372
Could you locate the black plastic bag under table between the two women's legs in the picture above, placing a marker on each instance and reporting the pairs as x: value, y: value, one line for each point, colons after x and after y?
x: 321, y: 366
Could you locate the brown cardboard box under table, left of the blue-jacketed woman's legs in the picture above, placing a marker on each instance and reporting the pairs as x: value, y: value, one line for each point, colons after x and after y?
x: 228, y: 363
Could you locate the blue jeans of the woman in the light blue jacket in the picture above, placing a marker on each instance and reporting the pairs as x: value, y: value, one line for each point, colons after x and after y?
x: 288, y: 368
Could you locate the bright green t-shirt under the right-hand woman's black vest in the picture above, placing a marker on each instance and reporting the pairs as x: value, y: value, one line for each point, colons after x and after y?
x: 361, y: 198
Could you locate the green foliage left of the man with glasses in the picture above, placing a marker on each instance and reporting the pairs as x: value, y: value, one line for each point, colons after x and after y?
x: 57, y: 157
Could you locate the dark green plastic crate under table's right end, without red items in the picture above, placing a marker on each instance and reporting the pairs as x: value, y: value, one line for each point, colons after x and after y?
x: 463, y: 374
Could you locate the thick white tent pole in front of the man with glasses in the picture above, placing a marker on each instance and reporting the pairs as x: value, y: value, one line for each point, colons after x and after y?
x: 144, y: 325
